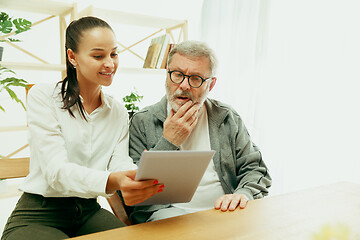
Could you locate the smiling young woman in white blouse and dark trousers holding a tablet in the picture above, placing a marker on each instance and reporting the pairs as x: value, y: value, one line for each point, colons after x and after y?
x: 78, y: 139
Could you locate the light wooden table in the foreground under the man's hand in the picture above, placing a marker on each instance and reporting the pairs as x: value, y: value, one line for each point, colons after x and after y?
x: 298, y: 215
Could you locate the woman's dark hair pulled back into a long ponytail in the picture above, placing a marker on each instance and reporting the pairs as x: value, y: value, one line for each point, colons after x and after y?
x: 70, y: 91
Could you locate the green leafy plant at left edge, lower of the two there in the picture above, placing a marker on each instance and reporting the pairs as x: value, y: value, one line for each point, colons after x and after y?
x: 9, y: 82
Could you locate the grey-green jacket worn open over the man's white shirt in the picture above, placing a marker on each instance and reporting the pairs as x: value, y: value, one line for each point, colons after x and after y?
x: 237, y: 160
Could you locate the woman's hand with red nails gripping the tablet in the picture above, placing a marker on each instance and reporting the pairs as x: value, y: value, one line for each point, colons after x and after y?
x: 132, y: 191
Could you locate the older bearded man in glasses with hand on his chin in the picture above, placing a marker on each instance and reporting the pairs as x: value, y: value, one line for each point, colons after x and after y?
x: 185, y: 119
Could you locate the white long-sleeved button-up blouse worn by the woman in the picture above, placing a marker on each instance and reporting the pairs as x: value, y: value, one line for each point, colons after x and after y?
x: 71, y: 157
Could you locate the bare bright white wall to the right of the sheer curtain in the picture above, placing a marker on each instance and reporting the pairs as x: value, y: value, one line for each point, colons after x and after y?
x: 309, y: 97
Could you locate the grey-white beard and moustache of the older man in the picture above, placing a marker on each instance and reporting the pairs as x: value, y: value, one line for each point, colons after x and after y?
x: 175, y: 106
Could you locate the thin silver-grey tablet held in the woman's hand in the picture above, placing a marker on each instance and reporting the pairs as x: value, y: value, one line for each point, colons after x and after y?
x: 179, y: 171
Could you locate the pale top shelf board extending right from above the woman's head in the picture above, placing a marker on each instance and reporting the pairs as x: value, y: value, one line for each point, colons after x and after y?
x: 132, y: 18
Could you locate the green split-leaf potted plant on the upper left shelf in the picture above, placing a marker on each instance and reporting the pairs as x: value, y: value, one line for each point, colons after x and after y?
x: 8, y: 25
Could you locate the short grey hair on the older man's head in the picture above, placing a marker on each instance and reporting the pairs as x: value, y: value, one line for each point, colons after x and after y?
x: 194, y: 49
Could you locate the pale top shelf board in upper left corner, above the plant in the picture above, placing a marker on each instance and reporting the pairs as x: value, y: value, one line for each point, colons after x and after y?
x: 38, y: 6
